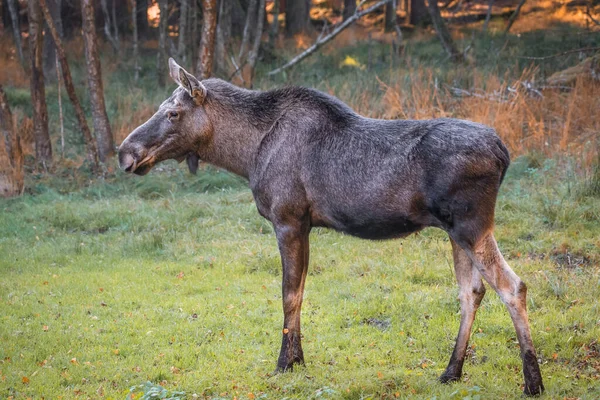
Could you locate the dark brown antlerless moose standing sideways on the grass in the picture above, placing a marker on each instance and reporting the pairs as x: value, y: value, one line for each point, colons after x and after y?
x: 311, y: 161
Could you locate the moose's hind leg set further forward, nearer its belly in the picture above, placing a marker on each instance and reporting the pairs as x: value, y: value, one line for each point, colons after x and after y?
x: 471, y: 293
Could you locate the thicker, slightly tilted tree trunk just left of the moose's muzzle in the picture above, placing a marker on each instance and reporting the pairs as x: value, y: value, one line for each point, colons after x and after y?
x: 102, y: 131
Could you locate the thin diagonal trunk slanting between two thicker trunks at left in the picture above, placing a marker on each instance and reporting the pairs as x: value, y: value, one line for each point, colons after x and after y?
x: 92, y: 152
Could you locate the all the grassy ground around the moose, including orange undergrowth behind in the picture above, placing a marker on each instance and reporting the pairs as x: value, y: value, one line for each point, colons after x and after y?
x: 107, y: 284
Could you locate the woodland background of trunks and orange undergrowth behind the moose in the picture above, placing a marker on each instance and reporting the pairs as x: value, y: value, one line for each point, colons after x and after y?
x: 77, y: 76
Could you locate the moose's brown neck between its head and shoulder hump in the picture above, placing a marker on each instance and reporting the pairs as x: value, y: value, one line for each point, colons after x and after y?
x: 240, y: 118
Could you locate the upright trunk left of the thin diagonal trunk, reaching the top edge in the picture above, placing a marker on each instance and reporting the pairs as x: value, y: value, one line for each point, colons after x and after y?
x: 43, y: 145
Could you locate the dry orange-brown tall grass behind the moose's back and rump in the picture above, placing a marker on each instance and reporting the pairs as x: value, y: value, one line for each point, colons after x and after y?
x: 550, y: 121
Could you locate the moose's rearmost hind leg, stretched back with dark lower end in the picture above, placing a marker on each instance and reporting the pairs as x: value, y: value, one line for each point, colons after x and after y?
x: 491, y: 264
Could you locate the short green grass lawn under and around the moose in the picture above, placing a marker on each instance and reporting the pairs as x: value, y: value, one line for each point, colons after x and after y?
x: 175, y: 280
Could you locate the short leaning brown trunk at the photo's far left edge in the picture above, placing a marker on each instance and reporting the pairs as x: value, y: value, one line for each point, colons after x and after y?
x: 11, y: 158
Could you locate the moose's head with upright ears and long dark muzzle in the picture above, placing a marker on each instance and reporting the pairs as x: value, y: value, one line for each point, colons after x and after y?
x: 173, y: 132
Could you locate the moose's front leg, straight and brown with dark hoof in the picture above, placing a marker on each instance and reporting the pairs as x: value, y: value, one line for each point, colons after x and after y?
x: 292, y: 239
